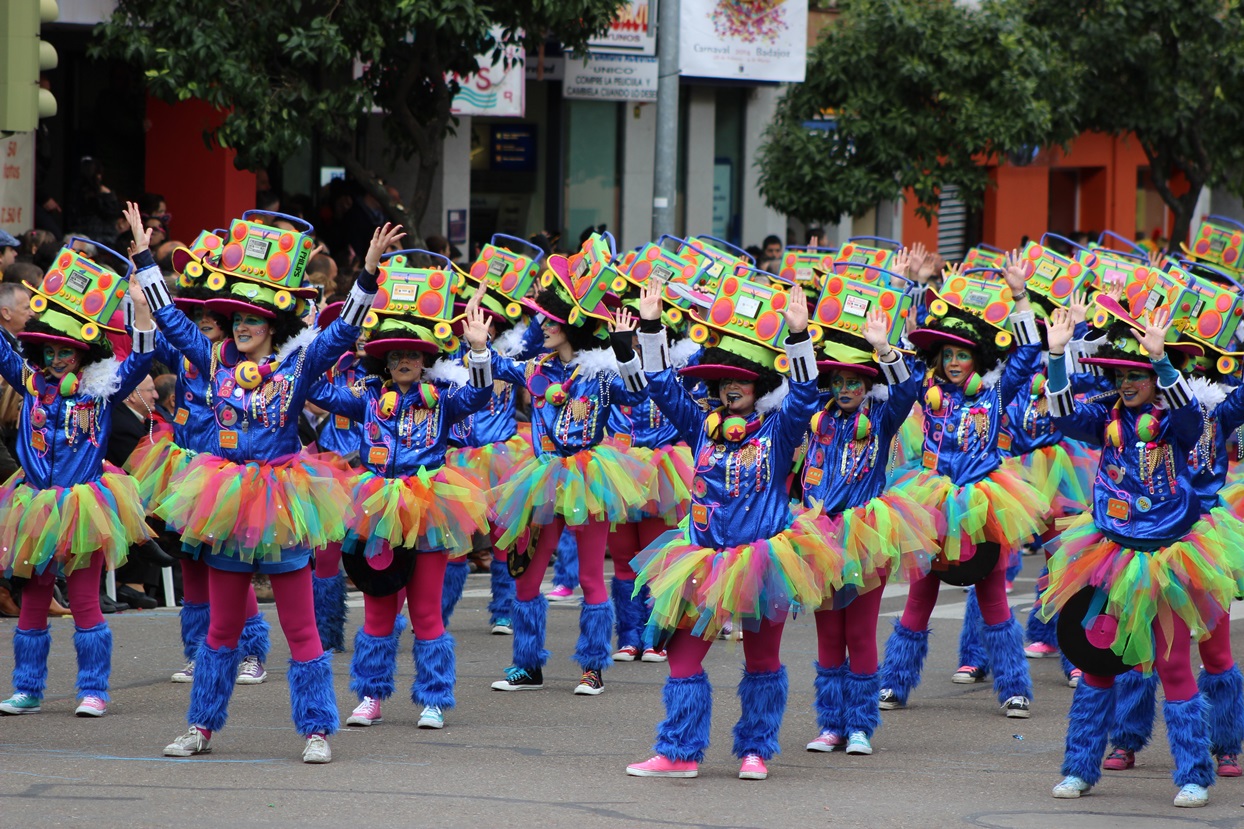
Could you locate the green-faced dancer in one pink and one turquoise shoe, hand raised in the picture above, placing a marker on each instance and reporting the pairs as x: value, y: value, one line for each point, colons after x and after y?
x: 886, y: 533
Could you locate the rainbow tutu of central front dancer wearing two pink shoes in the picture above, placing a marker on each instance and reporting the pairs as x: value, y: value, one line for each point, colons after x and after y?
x: 703, y: 589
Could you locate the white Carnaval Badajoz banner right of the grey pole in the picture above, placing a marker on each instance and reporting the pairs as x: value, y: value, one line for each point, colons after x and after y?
x: 747, y: 40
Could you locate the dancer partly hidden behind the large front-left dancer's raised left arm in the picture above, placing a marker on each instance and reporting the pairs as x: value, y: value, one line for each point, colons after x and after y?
x: 156, y: 464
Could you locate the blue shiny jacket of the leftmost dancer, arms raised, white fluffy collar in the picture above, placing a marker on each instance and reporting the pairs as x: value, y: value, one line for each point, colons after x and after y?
x: 62, y: 441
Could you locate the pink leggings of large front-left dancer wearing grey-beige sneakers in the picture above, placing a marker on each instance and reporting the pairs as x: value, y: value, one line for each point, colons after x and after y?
x: 295, y: 608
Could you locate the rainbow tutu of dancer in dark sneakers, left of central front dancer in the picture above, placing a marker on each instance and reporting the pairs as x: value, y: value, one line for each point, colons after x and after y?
x: 601, y: 484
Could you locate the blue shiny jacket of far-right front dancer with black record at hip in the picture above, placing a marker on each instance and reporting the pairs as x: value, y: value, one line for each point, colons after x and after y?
x: 1144, y: 495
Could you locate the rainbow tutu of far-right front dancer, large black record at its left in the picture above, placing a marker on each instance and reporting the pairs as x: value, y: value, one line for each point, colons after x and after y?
x: 1192, y: 578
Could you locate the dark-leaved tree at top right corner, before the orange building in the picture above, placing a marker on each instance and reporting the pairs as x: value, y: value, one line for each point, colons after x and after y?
x: 1171, y: 74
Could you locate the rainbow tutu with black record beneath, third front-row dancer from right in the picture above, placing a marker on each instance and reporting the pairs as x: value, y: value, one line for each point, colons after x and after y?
x: 1001, y: 508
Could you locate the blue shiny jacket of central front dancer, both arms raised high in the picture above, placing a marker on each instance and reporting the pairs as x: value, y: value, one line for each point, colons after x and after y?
x: 740, y: 490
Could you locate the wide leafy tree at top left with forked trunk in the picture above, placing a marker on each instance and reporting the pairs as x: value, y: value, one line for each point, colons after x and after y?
x: 287, y: 70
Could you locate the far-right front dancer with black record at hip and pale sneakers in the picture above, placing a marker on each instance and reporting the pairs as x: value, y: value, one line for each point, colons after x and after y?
x: 1159, y: 573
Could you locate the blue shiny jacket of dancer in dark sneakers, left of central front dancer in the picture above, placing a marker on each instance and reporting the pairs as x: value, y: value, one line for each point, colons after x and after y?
x: 592, y: 391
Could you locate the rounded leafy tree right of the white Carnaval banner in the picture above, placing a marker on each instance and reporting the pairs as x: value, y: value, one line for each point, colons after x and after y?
x: 911, y: 94
